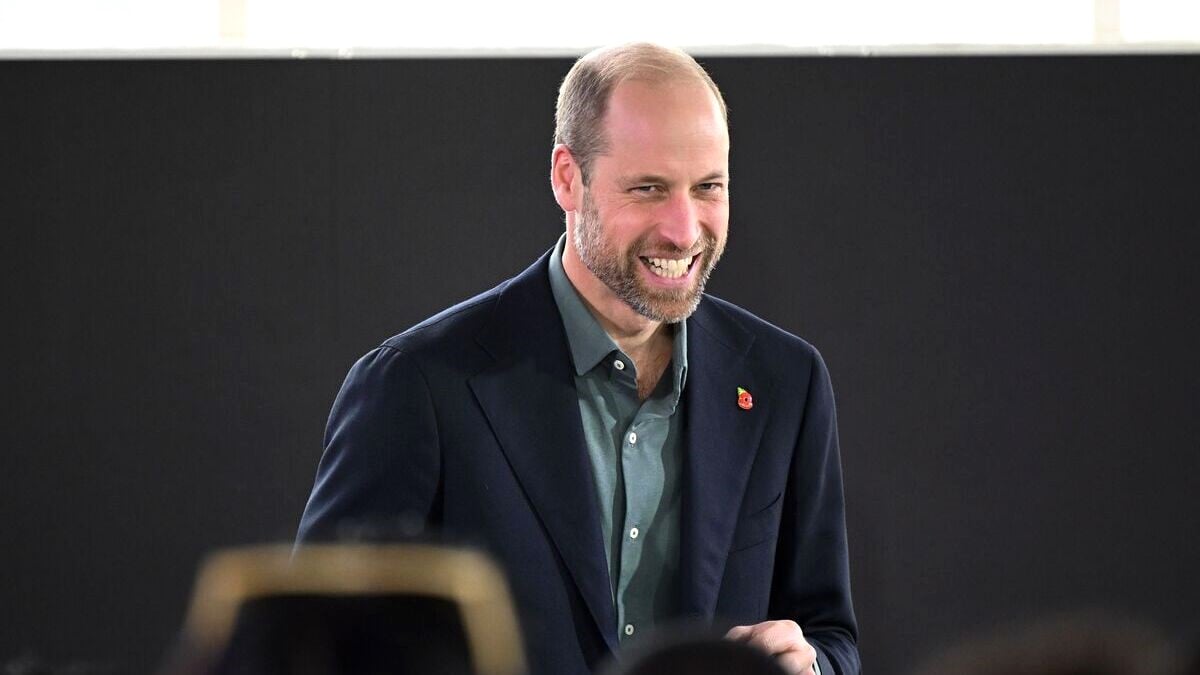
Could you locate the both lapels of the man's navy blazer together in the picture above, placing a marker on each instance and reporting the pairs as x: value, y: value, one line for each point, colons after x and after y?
x: 531, y: 403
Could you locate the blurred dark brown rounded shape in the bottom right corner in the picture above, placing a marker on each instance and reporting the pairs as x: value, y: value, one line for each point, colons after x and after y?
x: 1077, y: 644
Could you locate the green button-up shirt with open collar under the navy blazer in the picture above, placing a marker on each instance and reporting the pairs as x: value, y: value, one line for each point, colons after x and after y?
x: 637, y: 457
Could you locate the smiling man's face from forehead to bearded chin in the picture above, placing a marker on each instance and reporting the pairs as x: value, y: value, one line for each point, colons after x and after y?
x: 655, y: 218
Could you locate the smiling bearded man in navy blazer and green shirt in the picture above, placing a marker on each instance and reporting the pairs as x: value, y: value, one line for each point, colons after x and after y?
x: 631, y: 450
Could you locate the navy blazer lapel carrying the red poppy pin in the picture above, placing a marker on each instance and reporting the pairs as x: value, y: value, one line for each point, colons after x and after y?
x: 722, y: 440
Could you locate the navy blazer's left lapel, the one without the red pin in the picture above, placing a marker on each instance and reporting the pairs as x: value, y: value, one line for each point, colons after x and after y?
x: 532, y: 407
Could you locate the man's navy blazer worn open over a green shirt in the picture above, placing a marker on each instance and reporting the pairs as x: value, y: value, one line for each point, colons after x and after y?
x: 470, y: 423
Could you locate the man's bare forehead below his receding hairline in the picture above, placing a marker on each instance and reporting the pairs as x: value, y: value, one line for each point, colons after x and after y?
x: 676, y: 124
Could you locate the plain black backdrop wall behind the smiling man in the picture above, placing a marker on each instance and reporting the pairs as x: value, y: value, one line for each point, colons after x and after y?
x: 998, y: 258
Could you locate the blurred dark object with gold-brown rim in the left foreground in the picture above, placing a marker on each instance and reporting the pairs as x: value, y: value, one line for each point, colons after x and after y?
x: 363, y: 610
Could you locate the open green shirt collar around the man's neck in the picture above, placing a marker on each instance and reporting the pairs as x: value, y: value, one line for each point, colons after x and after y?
x: 587, y: 339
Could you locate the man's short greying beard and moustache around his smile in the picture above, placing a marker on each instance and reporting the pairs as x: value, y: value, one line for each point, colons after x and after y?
x: 620, y: 271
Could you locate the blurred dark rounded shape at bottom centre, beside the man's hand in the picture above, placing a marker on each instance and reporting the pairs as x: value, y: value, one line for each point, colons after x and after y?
x: 693, y: 652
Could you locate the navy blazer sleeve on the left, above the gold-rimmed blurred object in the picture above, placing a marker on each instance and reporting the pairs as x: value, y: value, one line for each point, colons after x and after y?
x: 381, y: 469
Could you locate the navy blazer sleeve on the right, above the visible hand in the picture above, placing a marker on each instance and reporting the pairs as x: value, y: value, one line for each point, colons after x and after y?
x: 812, y: 580
